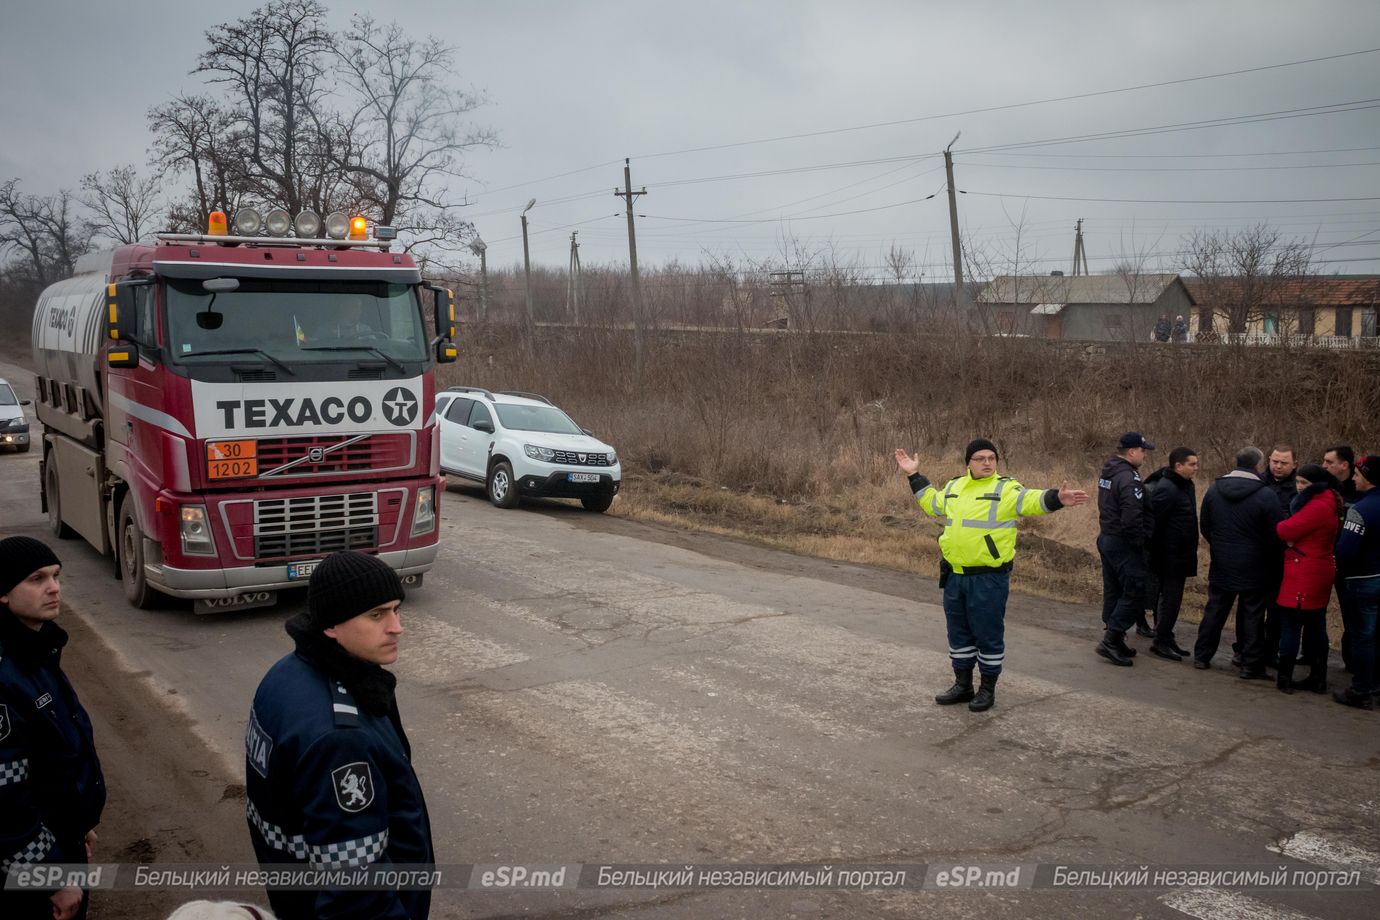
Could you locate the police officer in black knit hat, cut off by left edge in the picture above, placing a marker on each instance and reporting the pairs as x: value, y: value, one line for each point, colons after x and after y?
x: 52, y: 790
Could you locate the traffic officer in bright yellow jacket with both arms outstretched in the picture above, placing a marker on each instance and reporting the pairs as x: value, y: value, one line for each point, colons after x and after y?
x: 979, y: 511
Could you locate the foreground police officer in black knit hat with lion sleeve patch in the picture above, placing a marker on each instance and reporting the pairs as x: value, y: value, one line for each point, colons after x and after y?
x: 329, y: 770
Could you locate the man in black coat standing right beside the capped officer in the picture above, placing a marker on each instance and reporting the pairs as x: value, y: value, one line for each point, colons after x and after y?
x: 1174, y: 546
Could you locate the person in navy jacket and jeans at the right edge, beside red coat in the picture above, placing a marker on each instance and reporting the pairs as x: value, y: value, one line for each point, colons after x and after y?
x: 1359, y: 565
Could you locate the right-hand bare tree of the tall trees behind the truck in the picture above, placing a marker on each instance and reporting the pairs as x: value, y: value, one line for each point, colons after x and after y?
x: 405, y: 136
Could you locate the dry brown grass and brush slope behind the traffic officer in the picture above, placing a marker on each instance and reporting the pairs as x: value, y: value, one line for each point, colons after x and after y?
x: 787, y: 439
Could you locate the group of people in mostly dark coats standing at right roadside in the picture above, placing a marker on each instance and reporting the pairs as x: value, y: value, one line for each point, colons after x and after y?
x: 1283, y: 539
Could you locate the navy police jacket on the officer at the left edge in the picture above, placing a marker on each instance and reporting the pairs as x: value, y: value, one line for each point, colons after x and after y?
x: 52, y: 788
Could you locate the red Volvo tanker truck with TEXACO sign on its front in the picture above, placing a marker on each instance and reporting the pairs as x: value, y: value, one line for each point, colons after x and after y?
x: 220, y: 412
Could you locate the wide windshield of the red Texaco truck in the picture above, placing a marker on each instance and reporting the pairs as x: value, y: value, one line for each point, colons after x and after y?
x: 296, y: 322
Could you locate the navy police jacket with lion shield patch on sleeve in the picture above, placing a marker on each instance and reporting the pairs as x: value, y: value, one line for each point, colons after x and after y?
x: 332, y: 787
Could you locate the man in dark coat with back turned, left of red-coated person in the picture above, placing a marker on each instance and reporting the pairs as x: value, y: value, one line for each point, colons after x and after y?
x: 1239, y: 522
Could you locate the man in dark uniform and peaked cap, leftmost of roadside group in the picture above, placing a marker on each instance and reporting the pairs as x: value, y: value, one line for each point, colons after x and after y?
x: 1125, y: 528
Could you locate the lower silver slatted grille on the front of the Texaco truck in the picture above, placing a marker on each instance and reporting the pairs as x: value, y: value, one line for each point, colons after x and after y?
x: 315, y: 525
